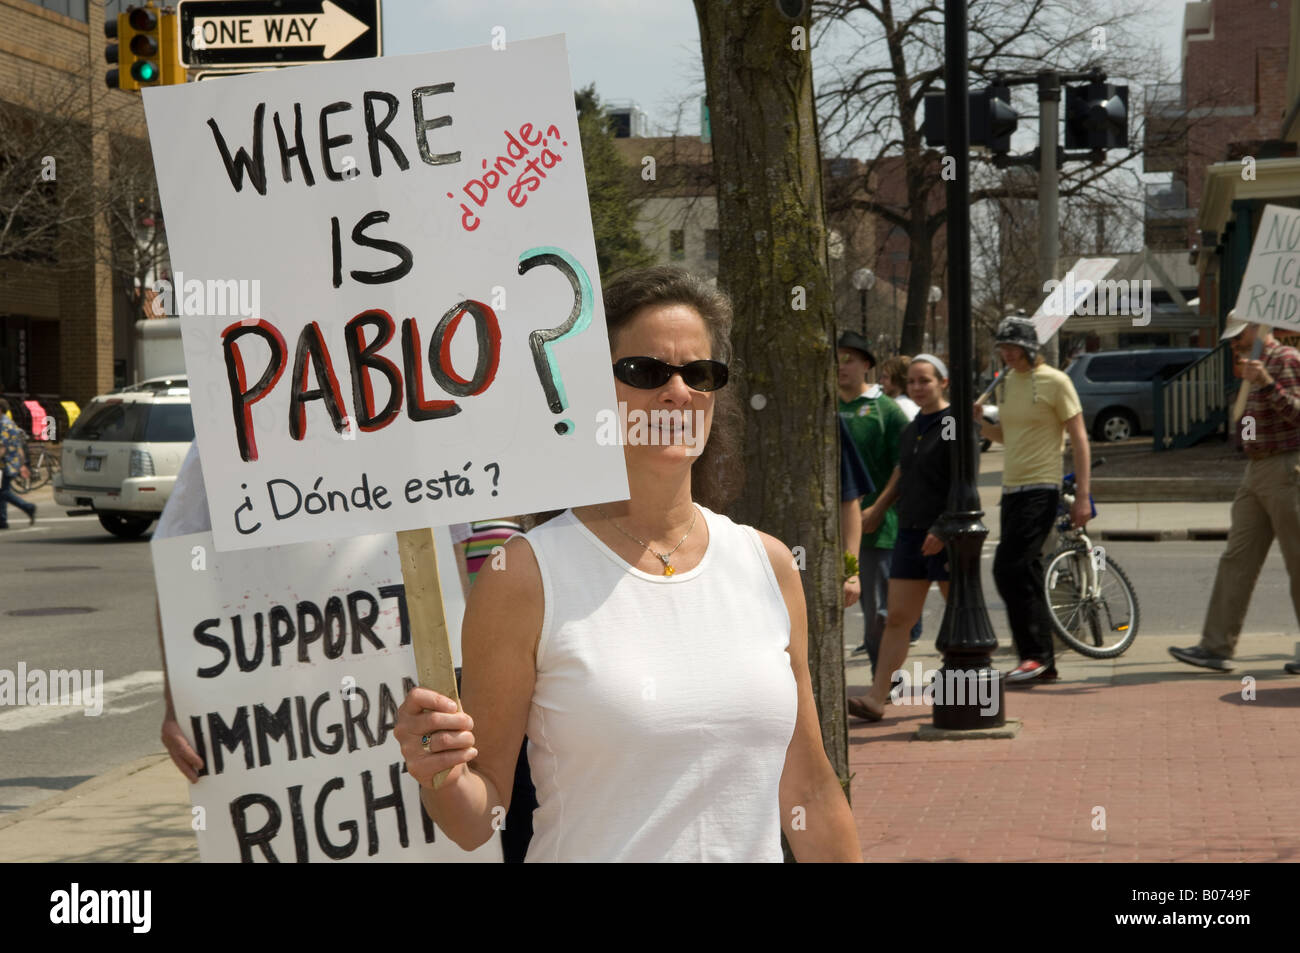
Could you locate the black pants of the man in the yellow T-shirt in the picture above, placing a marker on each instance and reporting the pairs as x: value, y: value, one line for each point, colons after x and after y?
x: 1028, y: 519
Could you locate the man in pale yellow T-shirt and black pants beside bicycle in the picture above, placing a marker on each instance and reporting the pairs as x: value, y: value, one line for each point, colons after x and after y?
x: 1037, y: 406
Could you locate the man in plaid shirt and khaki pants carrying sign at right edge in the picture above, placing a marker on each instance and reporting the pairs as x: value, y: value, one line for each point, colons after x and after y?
x: 1268, y: 501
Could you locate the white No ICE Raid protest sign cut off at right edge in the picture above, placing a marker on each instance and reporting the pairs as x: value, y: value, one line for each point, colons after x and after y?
x: 1271, y: 288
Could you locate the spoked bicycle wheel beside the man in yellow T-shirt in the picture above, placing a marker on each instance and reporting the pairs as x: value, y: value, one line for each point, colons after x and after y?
x: 1102, y: 626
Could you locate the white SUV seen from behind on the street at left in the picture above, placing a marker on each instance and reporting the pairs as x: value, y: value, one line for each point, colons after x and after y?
x: 123, y: 454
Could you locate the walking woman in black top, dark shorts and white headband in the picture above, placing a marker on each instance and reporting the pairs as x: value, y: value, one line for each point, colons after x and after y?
x: 920, y: 486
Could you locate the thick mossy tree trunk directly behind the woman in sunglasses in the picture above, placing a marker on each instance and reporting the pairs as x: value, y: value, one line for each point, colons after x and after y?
x: 774, y: 265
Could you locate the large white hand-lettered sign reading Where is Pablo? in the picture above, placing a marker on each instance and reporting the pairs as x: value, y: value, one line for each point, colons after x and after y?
x: 389, y: 293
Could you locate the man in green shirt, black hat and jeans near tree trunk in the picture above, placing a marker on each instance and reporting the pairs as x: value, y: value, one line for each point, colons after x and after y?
x: 876, y: 423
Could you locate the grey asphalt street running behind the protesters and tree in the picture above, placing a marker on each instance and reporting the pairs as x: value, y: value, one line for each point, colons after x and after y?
x: 102, y: 594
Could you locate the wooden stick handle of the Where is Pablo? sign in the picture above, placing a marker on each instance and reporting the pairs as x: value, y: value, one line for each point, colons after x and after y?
x: 434, y: 662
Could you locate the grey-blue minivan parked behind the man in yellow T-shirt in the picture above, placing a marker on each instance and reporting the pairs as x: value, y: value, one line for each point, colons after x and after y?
x: 1116, y: 388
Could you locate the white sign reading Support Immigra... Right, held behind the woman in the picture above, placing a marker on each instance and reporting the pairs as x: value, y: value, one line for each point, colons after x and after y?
x: 287, y: 668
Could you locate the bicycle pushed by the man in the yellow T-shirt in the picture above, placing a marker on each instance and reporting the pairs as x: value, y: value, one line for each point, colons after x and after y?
x: 1093, y: 604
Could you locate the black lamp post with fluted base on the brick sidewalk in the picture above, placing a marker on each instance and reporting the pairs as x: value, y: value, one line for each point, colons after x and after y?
x: 967, y: 636
